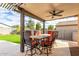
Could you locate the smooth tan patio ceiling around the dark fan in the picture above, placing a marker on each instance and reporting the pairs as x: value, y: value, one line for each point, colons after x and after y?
x: 40, y: 10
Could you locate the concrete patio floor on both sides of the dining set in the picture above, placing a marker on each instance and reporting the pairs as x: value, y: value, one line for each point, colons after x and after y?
x: 60, y: 48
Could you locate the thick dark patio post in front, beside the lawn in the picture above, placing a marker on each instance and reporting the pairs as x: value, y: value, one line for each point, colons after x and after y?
x: 22, y: 31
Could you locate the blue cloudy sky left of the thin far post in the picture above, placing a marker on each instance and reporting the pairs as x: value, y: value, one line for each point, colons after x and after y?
x: 11, y: 18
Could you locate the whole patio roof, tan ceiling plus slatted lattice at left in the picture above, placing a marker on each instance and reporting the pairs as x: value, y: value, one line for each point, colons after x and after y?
x: 40, y: 11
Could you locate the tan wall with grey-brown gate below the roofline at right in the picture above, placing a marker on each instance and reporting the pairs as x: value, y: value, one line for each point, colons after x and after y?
x: 67, y: 32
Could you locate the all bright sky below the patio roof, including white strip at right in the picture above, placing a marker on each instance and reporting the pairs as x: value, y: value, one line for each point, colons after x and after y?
x: 11, y: 18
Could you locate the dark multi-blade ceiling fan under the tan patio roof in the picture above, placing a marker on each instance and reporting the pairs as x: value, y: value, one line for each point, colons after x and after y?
x: 55, y: 12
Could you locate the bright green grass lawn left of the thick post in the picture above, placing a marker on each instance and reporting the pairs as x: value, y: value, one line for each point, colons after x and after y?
x: 12, y: 38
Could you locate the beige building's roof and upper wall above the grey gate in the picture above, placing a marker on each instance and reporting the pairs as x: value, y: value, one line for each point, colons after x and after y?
x: 67, y: 25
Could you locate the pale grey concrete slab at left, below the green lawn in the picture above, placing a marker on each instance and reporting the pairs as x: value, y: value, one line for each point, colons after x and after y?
x: 8, y: 48
